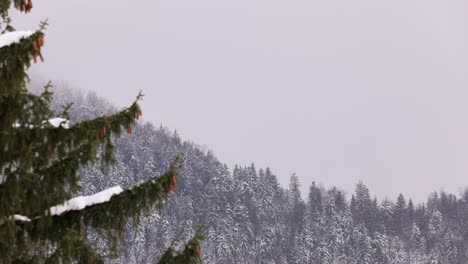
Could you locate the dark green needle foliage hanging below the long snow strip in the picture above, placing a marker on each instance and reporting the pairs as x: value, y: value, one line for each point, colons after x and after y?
x: 110, y: 217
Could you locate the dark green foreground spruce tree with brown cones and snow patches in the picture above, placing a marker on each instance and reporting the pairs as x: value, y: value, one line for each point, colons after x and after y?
x: 41, y: 154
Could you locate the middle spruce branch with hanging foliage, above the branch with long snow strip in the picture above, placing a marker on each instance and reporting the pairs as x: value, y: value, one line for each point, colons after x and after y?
x: 49, y: 167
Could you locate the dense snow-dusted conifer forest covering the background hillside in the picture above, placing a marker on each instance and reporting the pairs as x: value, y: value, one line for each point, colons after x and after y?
x: 249, y: 218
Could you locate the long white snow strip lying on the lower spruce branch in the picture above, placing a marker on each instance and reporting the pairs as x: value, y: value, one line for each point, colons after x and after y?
x: 80, y: 202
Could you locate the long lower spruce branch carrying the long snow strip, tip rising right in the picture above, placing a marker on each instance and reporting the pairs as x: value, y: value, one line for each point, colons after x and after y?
x: 108, y: 216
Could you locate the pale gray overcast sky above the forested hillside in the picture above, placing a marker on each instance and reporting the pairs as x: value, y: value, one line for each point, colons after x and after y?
x: 336, y: 91
